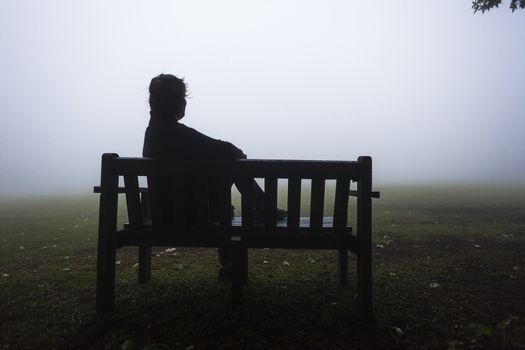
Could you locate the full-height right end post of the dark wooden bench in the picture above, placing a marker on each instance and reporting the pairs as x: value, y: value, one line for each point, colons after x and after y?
x: 364, y: 237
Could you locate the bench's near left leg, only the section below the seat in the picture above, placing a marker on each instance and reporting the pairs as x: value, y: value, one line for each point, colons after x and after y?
x: 105, y: 279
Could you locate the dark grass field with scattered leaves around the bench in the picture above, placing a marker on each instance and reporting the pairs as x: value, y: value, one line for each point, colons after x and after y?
x: 449, y: 273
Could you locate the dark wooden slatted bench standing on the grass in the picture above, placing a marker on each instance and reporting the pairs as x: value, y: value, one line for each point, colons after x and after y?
x: 146, y: 227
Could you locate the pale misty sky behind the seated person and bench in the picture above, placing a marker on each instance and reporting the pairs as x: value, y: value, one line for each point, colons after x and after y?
x: 428, y: 89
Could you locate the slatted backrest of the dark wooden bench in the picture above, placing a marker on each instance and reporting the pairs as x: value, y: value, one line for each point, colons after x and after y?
x: 168, y: 183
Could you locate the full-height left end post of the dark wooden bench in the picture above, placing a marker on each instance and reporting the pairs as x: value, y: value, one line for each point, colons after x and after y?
x: 107, y: 227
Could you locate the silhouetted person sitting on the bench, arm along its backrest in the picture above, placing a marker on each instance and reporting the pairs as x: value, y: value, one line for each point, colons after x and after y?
x: 167, y: 138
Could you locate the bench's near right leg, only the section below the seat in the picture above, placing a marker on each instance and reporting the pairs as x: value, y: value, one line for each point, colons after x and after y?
x: 364, y: 285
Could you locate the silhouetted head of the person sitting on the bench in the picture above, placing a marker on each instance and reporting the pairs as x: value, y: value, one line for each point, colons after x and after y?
x: 167, y: 97
